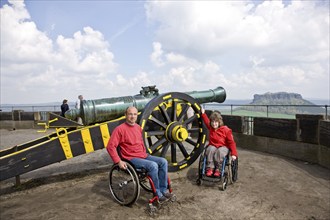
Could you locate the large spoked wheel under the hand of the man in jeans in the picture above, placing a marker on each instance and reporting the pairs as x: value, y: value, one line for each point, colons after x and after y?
x: 124, y: 184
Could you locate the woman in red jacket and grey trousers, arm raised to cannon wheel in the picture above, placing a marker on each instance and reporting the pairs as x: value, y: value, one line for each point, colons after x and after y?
x: 221, y: 141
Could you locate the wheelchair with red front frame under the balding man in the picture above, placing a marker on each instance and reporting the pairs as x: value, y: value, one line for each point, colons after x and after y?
x: 125, y: 185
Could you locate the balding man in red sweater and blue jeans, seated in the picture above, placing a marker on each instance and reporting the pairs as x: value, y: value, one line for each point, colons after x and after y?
x: 128, y: 136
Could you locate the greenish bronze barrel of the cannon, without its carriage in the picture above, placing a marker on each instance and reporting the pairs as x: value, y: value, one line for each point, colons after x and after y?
x: 101, y: 110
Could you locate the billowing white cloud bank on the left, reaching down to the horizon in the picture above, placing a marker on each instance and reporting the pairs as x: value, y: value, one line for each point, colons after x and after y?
x: 33, y: 65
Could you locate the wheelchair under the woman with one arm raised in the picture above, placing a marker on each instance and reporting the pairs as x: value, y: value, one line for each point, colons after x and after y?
x: 229, y: 171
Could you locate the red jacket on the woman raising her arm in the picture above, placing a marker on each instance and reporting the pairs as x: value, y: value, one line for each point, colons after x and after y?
x: 221, y: 136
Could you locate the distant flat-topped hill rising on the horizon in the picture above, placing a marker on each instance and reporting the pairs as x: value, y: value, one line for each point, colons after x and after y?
x: 282, y: 100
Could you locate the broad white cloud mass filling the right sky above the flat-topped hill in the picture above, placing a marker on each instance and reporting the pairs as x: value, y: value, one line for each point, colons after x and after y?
x: 269, y: 46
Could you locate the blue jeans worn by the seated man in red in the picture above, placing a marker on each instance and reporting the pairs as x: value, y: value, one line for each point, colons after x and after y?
x: 157, y: 170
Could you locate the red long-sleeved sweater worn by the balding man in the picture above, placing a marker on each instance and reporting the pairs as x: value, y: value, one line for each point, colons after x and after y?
x: 129, y: 138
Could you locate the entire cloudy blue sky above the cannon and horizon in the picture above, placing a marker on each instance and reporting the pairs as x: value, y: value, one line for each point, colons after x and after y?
x: 51, y: 50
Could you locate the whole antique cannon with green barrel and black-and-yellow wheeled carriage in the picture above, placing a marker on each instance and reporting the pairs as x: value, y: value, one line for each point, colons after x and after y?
x: 171, y: 123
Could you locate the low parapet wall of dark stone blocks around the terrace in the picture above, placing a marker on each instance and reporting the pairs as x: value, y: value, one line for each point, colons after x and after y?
x: 306, y: 138
